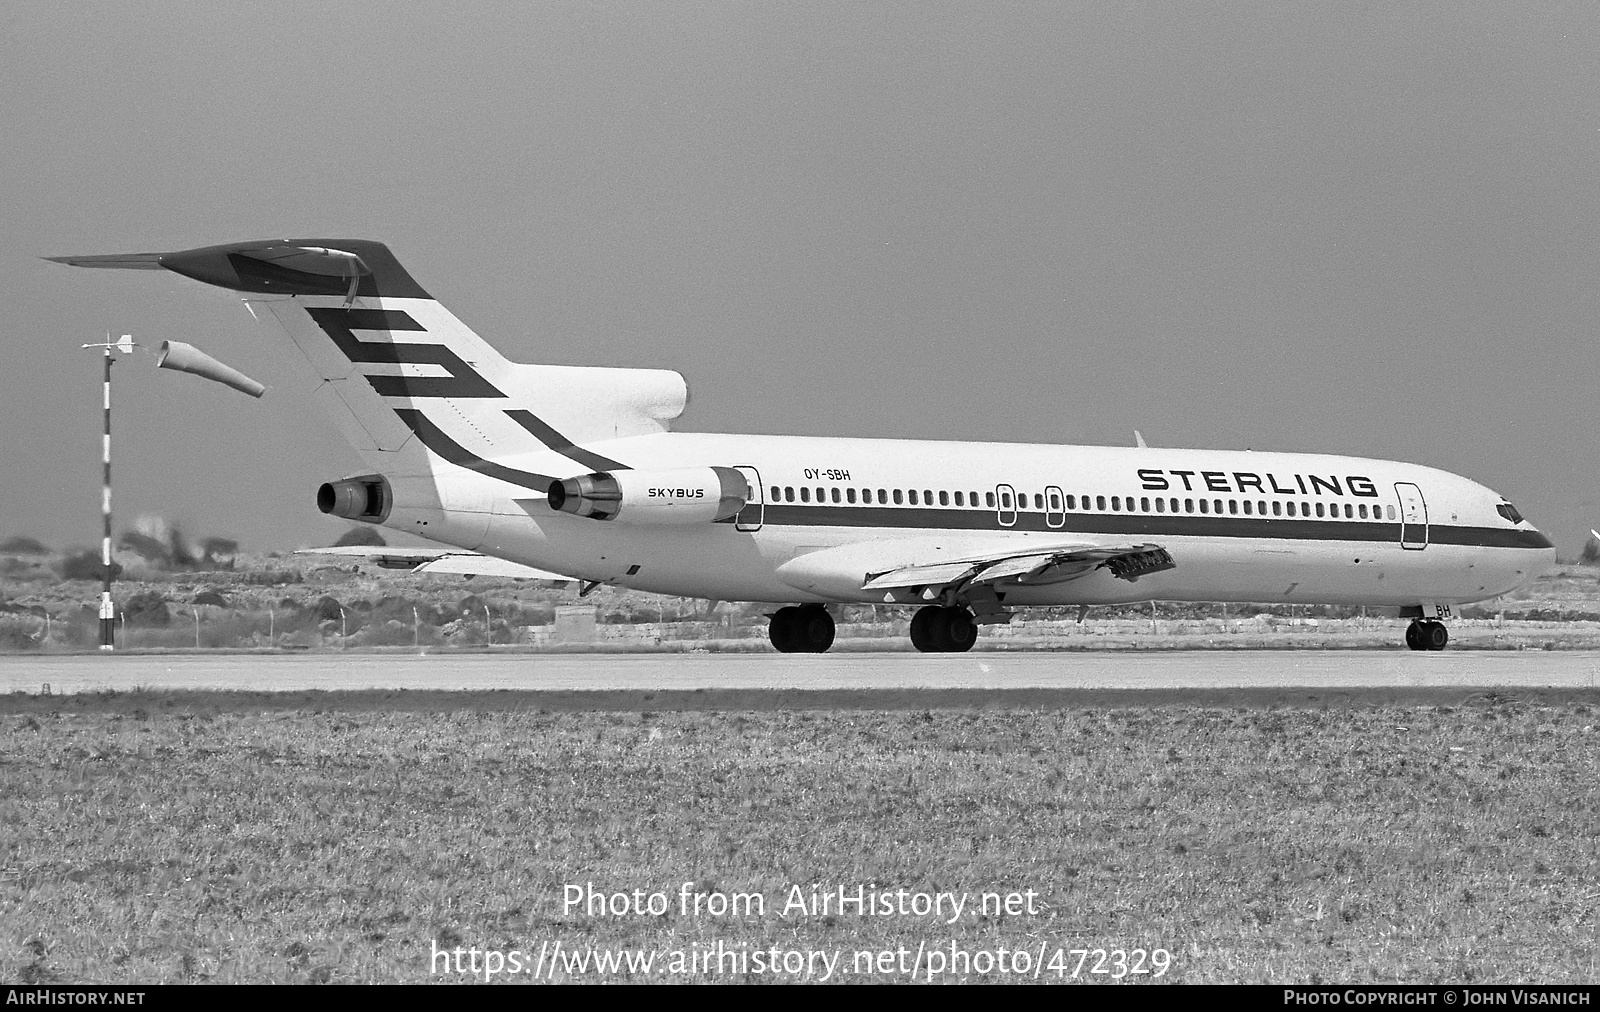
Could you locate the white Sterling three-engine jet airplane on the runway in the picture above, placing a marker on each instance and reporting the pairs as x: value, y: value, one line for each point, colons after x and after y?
x: 575, y: 472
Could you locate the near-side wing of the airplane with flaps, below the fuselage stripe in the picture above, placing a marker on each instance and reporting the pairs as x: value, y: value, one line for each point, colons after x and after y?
x: 1028, y: 566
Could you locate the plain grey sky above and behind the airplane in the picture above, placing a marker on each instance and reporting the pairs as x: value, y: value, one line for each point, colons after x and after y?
x: 1364, y: 230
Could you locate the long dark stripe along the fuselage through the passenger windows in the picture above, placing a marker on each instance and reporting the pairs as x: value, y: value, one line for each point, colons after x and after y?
x: 1143, y: 526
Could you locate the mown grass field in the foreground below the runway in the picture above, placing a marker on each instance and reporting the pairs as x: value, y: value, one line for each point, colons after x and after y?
x: 145, y: 840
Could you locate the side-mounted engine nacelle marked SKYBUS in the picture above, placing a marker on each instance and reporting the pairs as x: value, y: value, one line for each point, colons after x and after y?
x: 679, y: 496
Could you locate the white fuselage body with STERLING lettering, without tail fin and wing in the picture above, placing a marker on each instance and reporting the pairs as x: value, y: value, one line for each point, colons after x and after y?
x: 1241, y: 526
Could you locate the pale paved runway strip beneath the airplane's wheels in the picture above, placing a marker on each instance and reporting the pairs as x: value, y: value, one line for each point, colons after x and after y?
x: 823, y: 681
